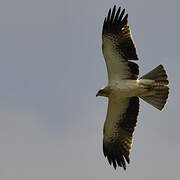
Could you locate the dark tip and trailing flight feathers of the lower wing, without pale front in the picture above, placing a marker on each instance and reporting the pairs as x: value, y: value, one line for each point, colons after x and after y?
x: 117, y: 149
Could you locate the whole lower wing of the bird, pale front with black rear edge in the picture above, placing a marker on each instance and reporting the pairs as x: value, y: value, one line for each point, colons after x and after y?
x: 118, y: 130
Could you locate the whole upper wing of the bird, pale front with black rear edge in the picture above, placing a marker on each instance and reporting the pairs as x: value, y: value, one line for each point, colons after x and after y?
x: 118, y: 47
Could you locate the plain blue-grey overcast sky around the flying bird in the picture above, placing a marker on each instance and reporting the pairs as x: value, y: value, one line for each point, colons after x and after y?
x: 51, y: 66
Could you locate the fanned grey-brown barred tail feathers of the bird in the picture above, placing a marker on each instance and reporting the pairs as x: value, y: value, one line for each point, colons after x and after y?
x: 159, y: 89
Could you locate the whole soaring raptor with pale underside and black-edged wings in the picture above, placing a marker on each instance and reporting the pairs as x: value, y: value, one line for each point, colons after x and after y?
x: 125, y: 88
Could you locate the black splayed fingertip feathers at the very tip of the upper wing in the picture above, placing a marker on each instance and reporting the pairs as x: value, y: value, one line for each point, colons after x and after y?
x: 115, y: 20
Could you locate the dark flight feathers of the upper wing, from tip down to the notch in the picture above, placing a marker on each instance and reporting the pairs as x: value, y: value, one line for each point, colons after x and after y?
x: 115, y: 23
